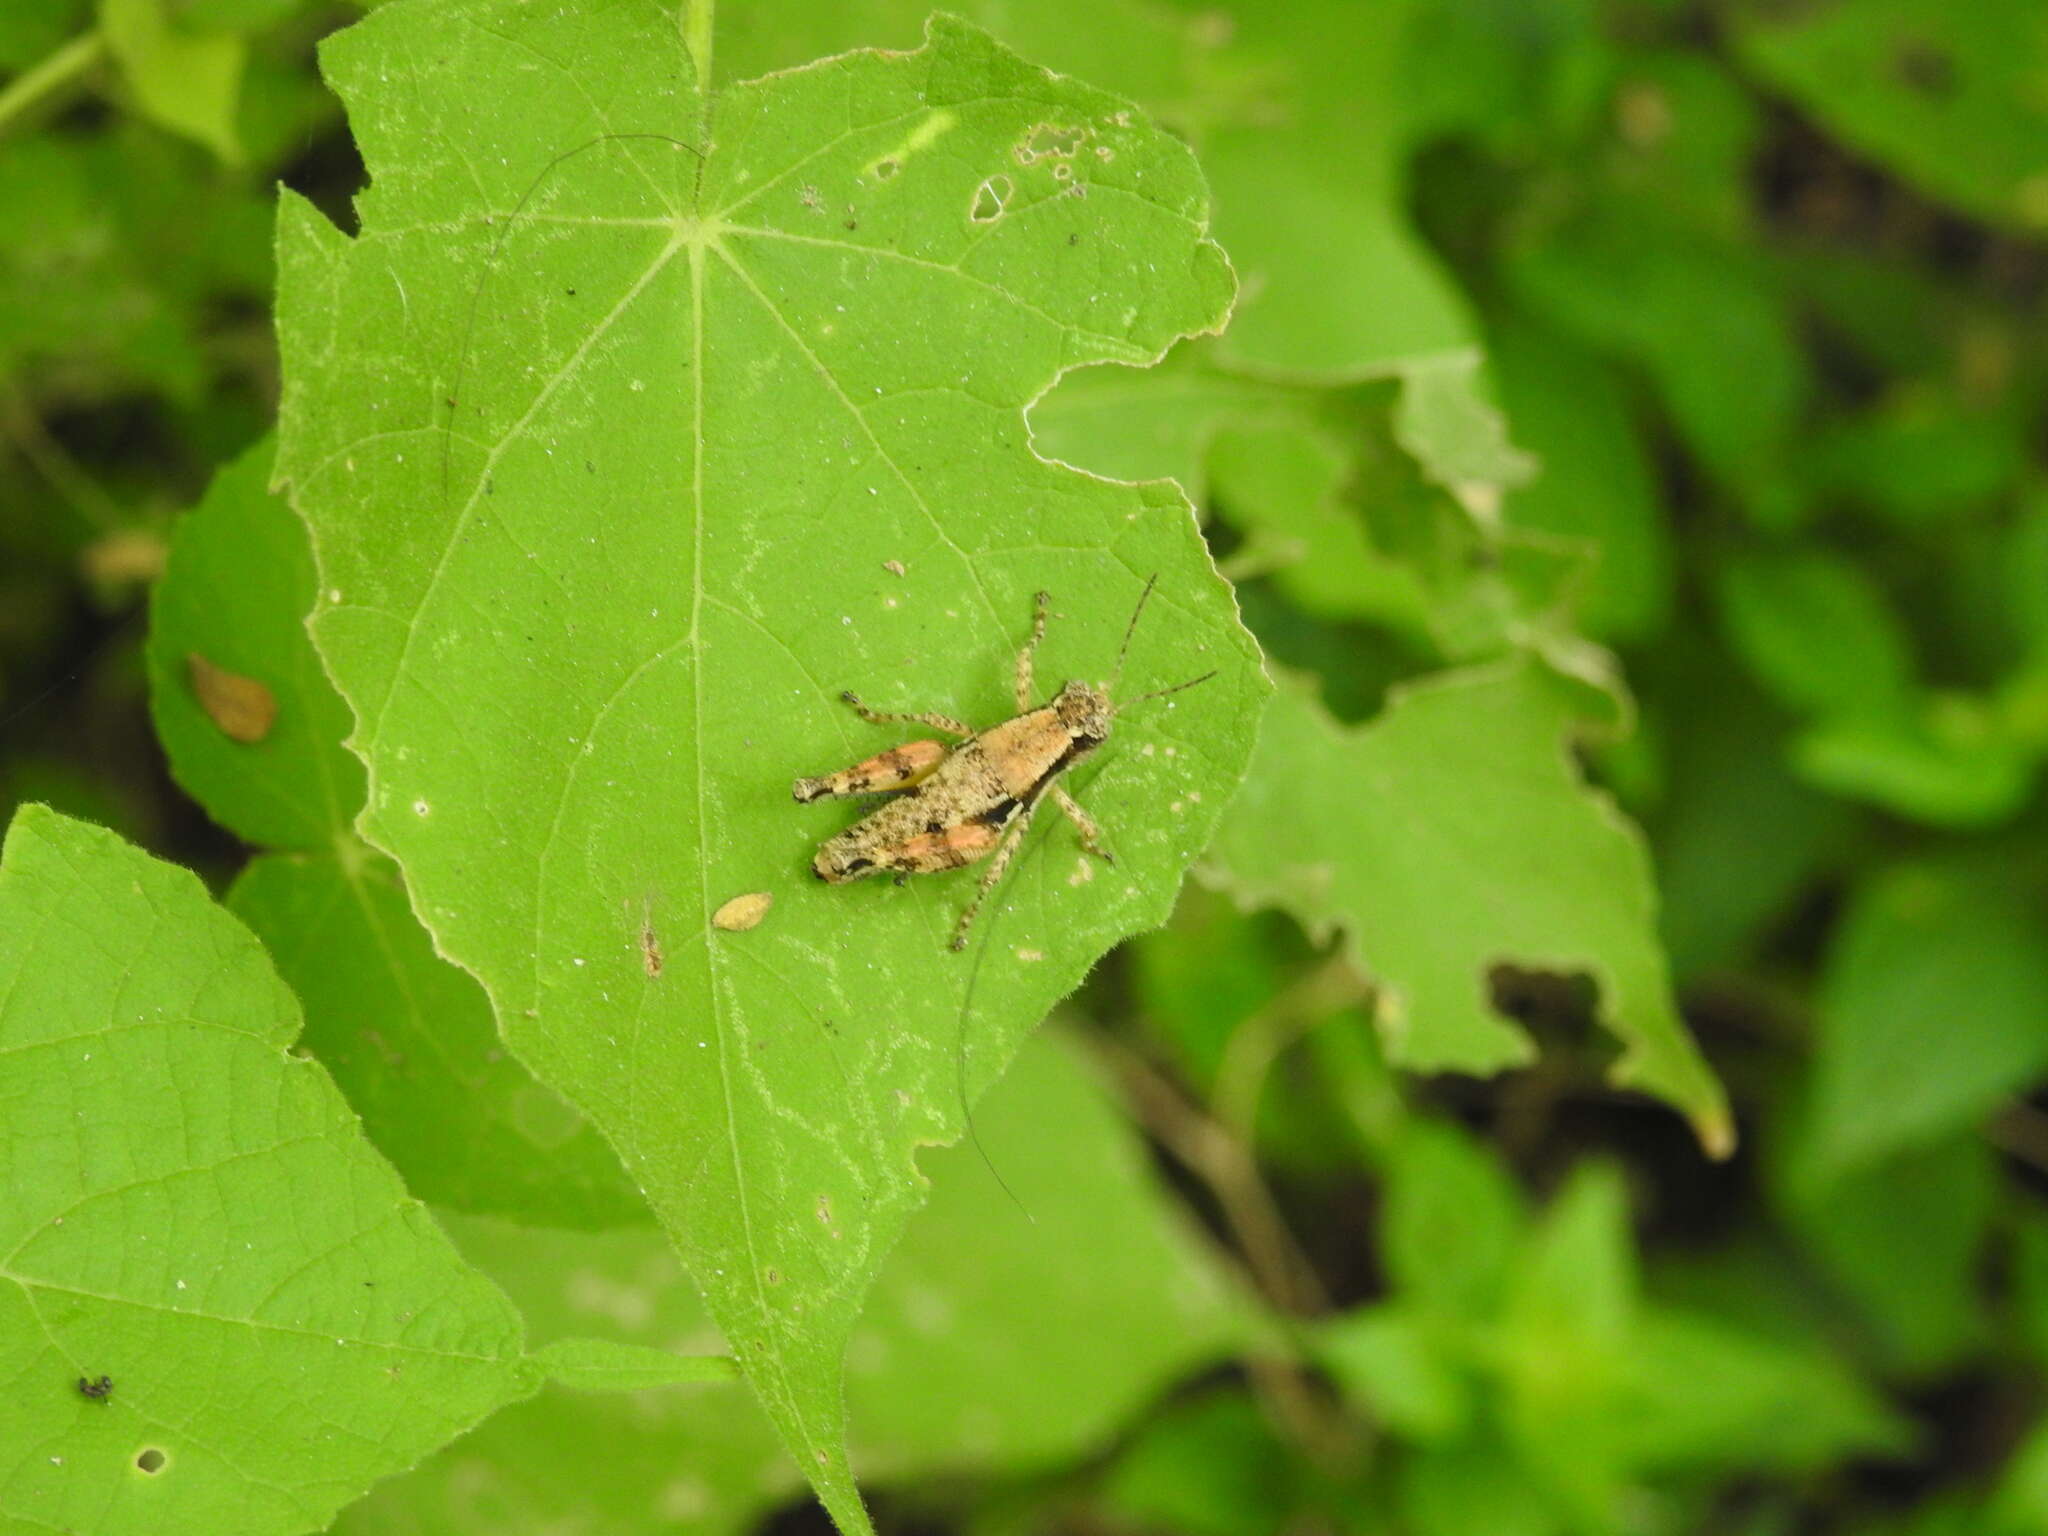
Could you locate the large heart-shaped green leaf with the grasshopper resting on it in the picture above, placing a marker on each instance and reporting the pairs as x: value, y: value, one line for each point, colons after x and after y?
x: 738, y: 392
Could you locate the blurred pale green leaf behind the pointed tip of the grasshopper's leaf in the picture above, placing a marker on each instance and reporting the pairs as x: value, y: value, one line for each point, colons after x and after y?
x: 982, y: 1349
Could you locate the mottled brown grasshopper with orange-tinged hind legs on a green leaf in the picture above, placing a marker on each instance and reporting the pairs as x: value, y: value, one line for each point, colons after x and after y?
x: 962, y: 804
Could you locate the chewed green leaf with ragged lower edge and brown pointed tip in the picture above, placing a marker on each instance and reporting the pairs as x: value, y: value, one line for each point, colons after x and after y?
x: 1451, y: 837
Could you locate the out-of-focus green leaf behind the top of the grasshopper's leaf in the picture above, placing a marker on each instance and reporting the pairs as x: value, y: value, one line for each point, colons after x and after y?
x: 1304, y: 118
